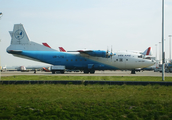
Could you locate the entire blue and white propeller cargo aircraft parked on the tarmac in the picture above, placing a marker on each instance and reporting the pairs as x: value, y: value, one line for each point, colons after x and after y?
x: 85, y: 60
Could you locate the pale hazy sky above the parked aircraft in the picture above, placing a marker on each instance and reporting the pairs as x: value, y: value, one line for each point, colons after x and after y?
x: 90, y: 24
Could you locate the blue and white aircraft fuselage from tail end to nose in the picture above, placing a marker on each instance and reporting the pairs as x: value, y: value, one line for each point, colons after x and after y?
x: 124, y: 61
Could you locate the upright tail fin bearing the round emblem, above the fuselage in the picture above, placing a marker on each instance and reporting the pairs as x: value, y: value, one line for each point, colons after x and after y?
x: 18, y: 35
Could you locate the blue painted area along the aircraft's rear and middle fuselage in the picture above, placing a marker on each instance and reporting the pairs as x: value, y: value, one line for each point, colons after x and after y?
x: 70, y: 61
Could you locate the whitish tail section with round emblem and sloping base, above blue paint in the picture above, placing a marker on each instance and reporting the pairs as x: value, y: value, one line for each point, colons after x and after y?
x: 20, y: 41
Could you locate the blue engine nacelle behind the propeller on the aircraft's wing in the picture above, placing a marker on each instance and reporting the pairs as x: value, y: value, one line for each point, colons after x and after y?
x: 99, y: 53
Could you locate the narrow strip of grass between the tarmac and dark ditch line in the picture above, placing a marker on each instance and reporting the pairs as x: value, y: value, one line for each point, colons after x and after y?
x: 108, y: 78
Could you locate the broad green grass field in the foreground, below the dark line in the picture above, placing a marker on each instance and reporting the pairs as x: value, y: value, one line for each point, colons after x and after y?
x: 85, y: 102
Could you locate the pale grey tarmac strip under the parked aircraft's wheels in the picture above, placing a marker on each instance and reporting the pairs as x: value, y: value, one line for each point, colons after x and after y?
x: 97, y: 73
